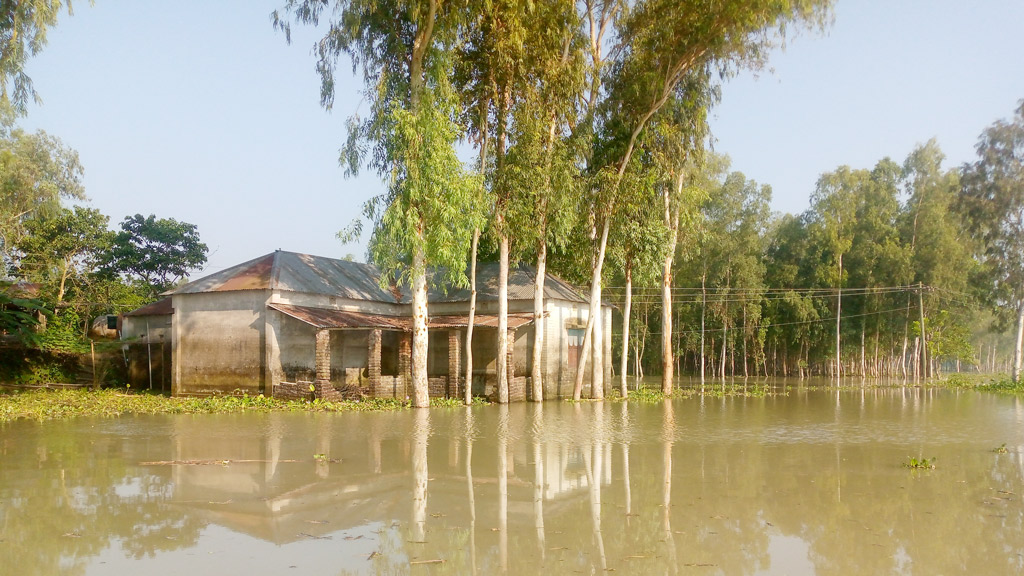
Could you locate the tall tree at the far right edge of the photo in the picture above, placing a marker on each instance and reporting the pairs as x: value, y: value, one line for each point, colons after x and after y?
x: 993, y: 199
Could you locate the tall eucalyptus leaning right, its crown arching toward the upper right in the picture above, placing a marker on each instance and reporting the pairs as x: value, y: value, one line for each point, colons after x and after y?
x: 655, y: 46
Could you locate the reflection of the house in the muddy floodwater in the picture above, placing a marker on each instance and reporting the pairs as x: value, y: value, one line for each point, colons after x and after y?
x: 314, y: 476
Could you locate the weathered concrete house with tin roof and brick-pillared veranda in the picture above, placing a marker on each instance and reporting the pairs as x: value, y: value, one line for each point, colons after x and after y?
x: 285, y: 323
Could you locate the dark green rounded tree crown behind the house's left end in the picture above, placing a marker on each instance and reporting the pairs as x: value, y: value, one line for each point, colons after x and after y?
x: 159, y: 253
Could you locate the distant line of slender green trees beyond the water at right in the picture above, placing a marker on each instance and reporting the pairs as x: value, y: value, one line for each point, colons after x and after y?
x: 886, y: 274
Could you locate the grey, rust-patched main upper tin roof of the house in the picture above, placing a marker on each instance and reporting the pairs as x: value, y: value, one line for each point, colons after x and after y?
x: 319, y: 275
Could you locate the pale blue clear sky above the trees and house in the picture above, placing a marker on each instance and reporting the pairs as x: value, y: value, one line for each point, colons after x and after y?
x: 200, y: 111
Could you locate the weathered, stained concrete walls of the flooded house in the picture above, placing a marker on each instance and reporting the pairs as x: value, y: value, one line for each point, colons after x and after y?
x: 229, y: 343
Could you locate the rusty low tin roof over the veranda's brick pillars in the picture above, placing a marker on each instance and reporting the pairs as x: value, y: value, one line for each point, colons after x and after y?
x: 328, y: 318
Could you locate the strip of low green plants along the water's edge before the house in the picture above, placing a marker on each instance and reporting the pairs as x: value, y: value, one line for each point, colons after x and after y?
x: 50, y: 405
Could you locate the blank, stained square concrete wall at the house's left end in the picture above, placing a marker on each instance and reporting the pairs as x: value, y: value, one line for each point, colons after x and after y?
x: 219, y: 343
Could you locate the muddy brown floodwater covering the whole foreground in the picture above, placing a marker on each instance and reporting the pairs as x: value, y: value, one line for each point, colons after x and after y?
x: 808, y: 483
